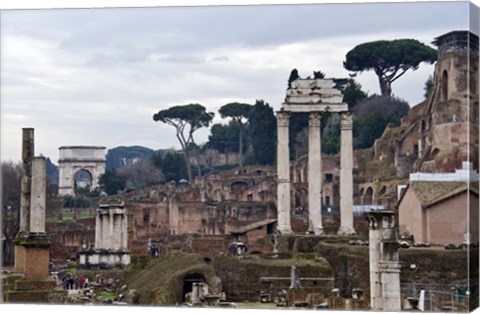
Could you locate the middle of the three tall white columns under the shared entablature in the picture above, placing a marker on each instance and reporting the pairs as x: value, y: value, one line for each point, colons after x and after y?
x: 314, y: 174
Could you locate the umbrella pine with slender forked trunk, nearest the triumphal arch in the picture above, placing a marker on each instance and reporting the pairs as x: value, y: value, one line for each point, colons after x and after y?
x: 186, y: 119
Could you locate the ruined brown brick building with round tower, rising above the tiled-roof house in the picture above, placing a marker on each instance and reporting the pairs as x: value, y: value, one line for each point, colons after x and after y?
x: 436, y: 136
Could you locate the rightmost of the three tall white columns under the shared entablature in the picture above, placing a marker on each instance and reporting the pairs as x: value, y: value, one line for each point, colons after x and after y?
x: 346, y: 176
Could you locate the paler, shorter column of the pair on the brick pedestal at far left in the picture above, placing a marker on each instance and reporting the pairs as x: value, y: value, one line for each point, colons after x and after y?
x: 38, y: 199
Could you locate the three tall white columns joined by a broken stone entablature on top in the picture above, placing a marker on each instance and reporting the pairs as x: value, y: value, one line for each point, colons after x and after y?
x: 314, y: 96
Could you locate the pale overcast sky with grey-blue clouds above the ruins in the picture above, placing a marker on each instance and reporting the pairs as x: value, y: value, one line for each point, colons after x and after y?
x: 97, y: 76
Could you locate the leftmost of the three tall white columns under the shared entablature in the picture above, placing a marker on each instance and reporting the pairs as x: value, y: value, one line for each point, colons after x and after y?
x: 283, y: 174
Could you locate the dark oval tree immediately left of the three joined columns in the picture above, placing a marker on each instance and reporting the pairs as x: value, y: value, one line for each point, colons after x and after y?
x: 263, y: 126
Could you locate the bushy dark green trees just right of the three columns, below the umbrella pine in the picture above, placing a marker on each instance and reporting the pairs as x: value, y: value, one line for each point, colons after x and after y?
x: 372, y: 116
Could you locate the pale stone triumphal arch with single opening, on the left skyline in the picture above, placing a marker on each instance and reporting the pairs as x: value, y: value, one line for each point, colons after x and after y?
x: 80, y: 166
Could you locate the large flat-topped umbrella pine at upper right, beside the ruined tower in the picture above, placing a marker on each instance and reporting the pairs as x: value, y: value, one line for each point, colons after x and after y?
x: 389, y: 59
